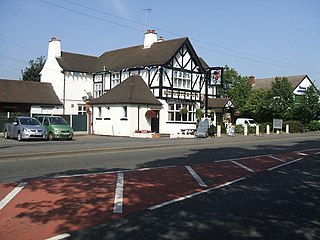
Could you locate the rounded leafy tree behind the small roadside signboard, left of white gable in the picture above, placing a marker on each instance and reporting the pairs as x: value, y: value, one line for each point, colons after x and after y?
x: 279, y: 100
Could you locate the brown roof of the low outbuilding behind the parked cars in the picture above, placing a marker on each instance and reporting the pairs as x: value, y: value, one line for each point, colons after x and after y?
x: 18, y: 91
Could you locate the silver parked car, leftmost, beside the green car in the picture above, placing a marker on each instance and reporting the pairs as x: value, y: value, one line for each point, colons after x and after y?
x: 24, y: 128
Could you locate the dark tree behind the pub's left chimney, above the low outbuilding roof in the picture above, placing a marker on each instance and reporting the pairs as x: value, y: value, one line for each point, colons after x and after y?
x: 32, y: 73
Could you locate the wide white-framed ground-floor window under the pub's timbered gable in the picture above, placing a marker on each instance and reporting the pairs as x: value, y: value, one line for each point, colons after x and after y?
x: 181, y: 112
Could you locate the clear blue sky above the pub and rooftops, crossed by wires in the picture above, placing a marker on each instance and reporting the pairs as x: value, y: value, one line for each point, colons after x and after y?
x: 262, y: 38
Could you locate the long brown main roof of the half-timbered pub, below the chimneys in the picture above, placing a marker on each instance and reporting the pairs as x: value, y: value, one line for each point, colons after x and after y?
x: 137, y: 56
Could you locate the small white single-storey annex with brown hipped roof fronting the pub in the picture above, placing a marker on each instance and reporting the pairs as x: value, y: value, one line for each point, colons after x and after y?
x: 124, y: 108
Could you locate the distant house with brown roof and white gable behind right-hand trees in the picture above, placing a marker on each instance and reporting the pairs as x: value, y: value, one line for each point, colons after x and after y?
x: 299, y: 83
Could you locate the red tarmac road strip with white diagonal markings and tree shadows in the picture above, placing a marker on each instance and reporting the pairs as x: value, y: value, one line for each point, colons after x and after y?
x: 41, y: 209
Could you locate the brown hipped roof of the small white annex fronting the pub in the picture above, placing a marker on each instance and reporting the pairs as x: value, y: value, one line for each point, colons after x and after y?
x: 133, y: 90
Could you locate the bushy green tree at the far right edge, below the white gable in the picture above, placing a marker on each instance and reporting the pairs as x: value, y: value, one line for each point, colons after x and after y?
x: 306, y: 108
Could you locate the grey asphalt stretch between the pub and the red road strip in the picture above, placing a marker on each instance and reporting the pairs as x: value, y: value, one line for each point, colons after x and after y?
x: 42, y: 159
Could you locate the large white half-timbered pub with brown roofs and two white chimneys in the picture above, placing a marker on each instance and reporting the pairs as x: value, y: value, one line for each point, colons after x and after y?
x: 171, y: 69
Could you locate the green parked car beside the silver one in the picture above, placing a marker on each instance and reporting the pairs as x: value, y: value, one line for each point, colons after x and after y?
x: 57, y: 127
